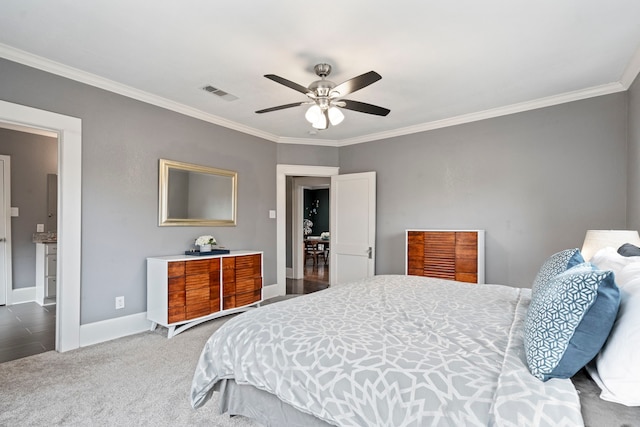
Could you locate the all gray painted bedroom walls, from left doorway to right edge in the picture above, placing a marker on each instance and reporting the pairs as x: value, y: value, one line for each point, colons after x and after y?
x: 536, y: 181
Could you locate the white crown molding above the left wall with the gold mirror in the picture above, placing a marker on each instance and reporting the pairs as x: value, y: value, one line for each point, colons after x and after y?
x: 35, y: 61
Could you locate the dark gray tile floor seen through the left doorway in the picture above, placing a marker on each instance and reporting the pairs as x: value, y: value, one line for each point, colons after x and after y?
x: 26, y: 329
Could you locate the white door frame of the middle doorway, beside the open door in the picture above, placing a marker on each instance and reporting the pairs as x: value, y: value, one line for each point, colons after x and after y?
x: 282, y: 171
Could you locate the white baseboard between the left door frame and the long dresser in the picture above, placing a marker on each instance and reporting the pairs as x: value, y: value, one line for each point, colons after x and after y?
x: 110, y: 329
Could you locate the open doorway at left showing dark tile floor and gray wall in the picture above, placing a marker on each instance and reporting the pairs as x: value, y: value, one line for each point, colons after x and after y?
x: 30, y: 245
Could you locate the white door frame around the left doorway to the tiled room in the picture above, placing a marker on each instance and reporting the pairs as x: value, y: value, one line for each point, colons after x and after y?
x: 69, y: 131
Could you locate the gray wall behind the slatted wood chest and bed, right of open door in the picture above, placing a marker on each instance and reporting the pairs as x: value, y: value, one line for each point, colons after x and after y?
x: 535, y: 181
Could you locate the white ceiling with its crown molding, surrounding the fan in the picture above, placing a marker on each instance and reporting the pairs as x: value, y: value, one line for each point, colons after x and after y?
x: 442, y: 62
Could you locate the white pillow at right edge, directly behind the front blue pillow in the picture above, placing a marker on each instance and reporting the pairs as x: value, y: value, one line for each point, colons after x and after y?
x: 616, y: 369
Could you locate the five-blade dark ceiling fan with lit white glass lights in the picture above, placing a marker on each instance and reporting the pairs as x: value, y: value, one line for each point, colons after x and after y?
x: 326, y: 97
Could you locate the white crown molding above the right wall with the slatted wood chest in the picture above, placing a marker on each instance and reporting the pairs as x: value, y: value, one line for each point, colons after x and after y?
x: 491, y: 113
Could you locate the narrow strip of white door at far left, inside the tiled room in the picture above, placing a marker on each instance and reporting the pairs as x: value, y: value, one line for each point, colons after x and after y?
x: 5, y: 228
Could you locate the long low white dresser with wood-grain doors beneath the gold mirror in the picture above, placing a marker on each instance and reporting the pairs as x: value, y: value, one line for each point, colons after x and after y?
x: 183, y: 290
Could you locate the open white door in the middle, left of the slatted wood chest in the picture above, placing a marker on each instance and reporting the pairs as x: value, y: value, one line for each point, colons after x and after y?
x: 353, y: 226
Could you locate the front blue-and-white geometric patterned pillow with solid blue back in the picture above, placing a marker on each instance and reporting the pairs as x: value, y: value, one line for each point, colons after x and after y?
x: 569, y: 321
